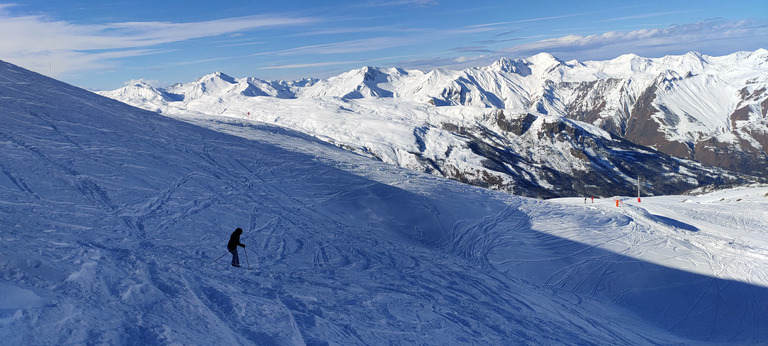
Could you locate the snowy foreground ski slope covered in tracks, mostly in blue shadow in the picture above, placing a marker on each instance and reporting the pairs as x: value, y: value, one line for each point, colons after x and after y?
x: 111, y: 218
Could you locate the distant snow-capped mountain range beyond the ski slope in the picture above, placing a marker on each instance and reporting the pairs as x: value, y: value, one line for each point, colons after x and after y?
x: 510, y: 125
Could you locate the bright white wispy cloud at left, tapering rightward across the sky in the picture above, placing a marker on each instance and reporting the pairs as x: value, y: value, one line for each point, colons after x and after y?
x: 38, y: 42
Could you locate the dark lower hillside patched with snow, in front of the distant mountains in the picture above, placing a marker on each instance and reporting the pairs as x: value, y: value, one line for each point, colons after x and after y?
x: 570, y: 159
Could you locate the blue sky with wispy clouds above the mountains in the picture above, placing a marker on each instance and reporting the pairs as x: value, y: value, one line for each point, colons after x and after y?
x: 103, y: 44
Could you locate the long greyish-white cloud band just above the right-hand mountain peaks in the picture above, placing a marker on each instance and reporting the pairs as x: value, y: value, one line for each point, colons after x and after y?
x: 714, y: 37
